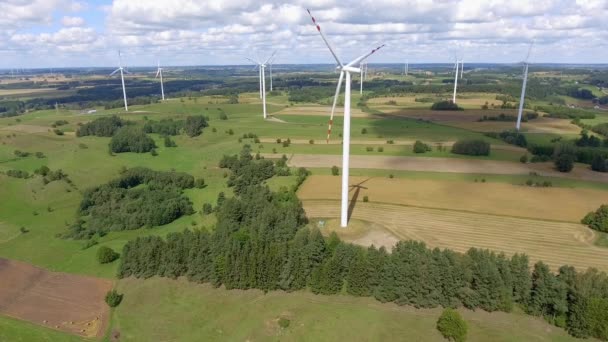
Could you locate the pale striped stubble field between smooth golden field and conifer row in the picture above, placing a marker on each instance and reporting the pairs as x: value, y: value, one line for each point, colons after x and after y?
x: 555, y: 243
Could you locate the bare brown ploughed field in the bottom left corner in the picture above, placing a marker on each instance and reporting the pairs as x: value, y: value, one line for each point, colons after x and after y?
x: 60, y: 301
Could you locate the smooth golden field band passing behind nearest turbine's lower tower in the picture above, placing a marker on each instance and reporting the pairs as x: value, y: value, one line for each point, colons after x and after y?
x: 489, y: 198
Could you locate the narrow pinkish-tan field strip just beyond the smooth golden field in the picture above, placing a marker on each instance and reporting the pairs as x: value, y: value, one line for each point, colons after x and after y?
x: 456, y: 165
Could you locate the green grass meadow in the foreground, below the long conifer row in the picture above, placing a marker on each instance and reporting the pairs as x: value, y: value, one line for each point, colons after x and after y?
x: 184, y: 311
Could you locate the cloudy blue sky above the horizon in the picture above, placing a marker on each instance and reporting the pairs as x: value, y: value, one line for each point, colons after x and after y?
x: 71, y: 33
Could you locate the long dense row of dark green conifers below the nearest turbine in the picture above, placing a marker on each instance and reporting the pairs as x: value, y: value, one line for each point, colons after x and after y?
x: 262, y: 240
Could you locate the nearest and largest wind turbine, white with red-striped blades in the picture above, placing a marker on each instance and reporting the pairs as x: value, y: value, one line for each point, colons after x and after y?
x: 345, y: 70
